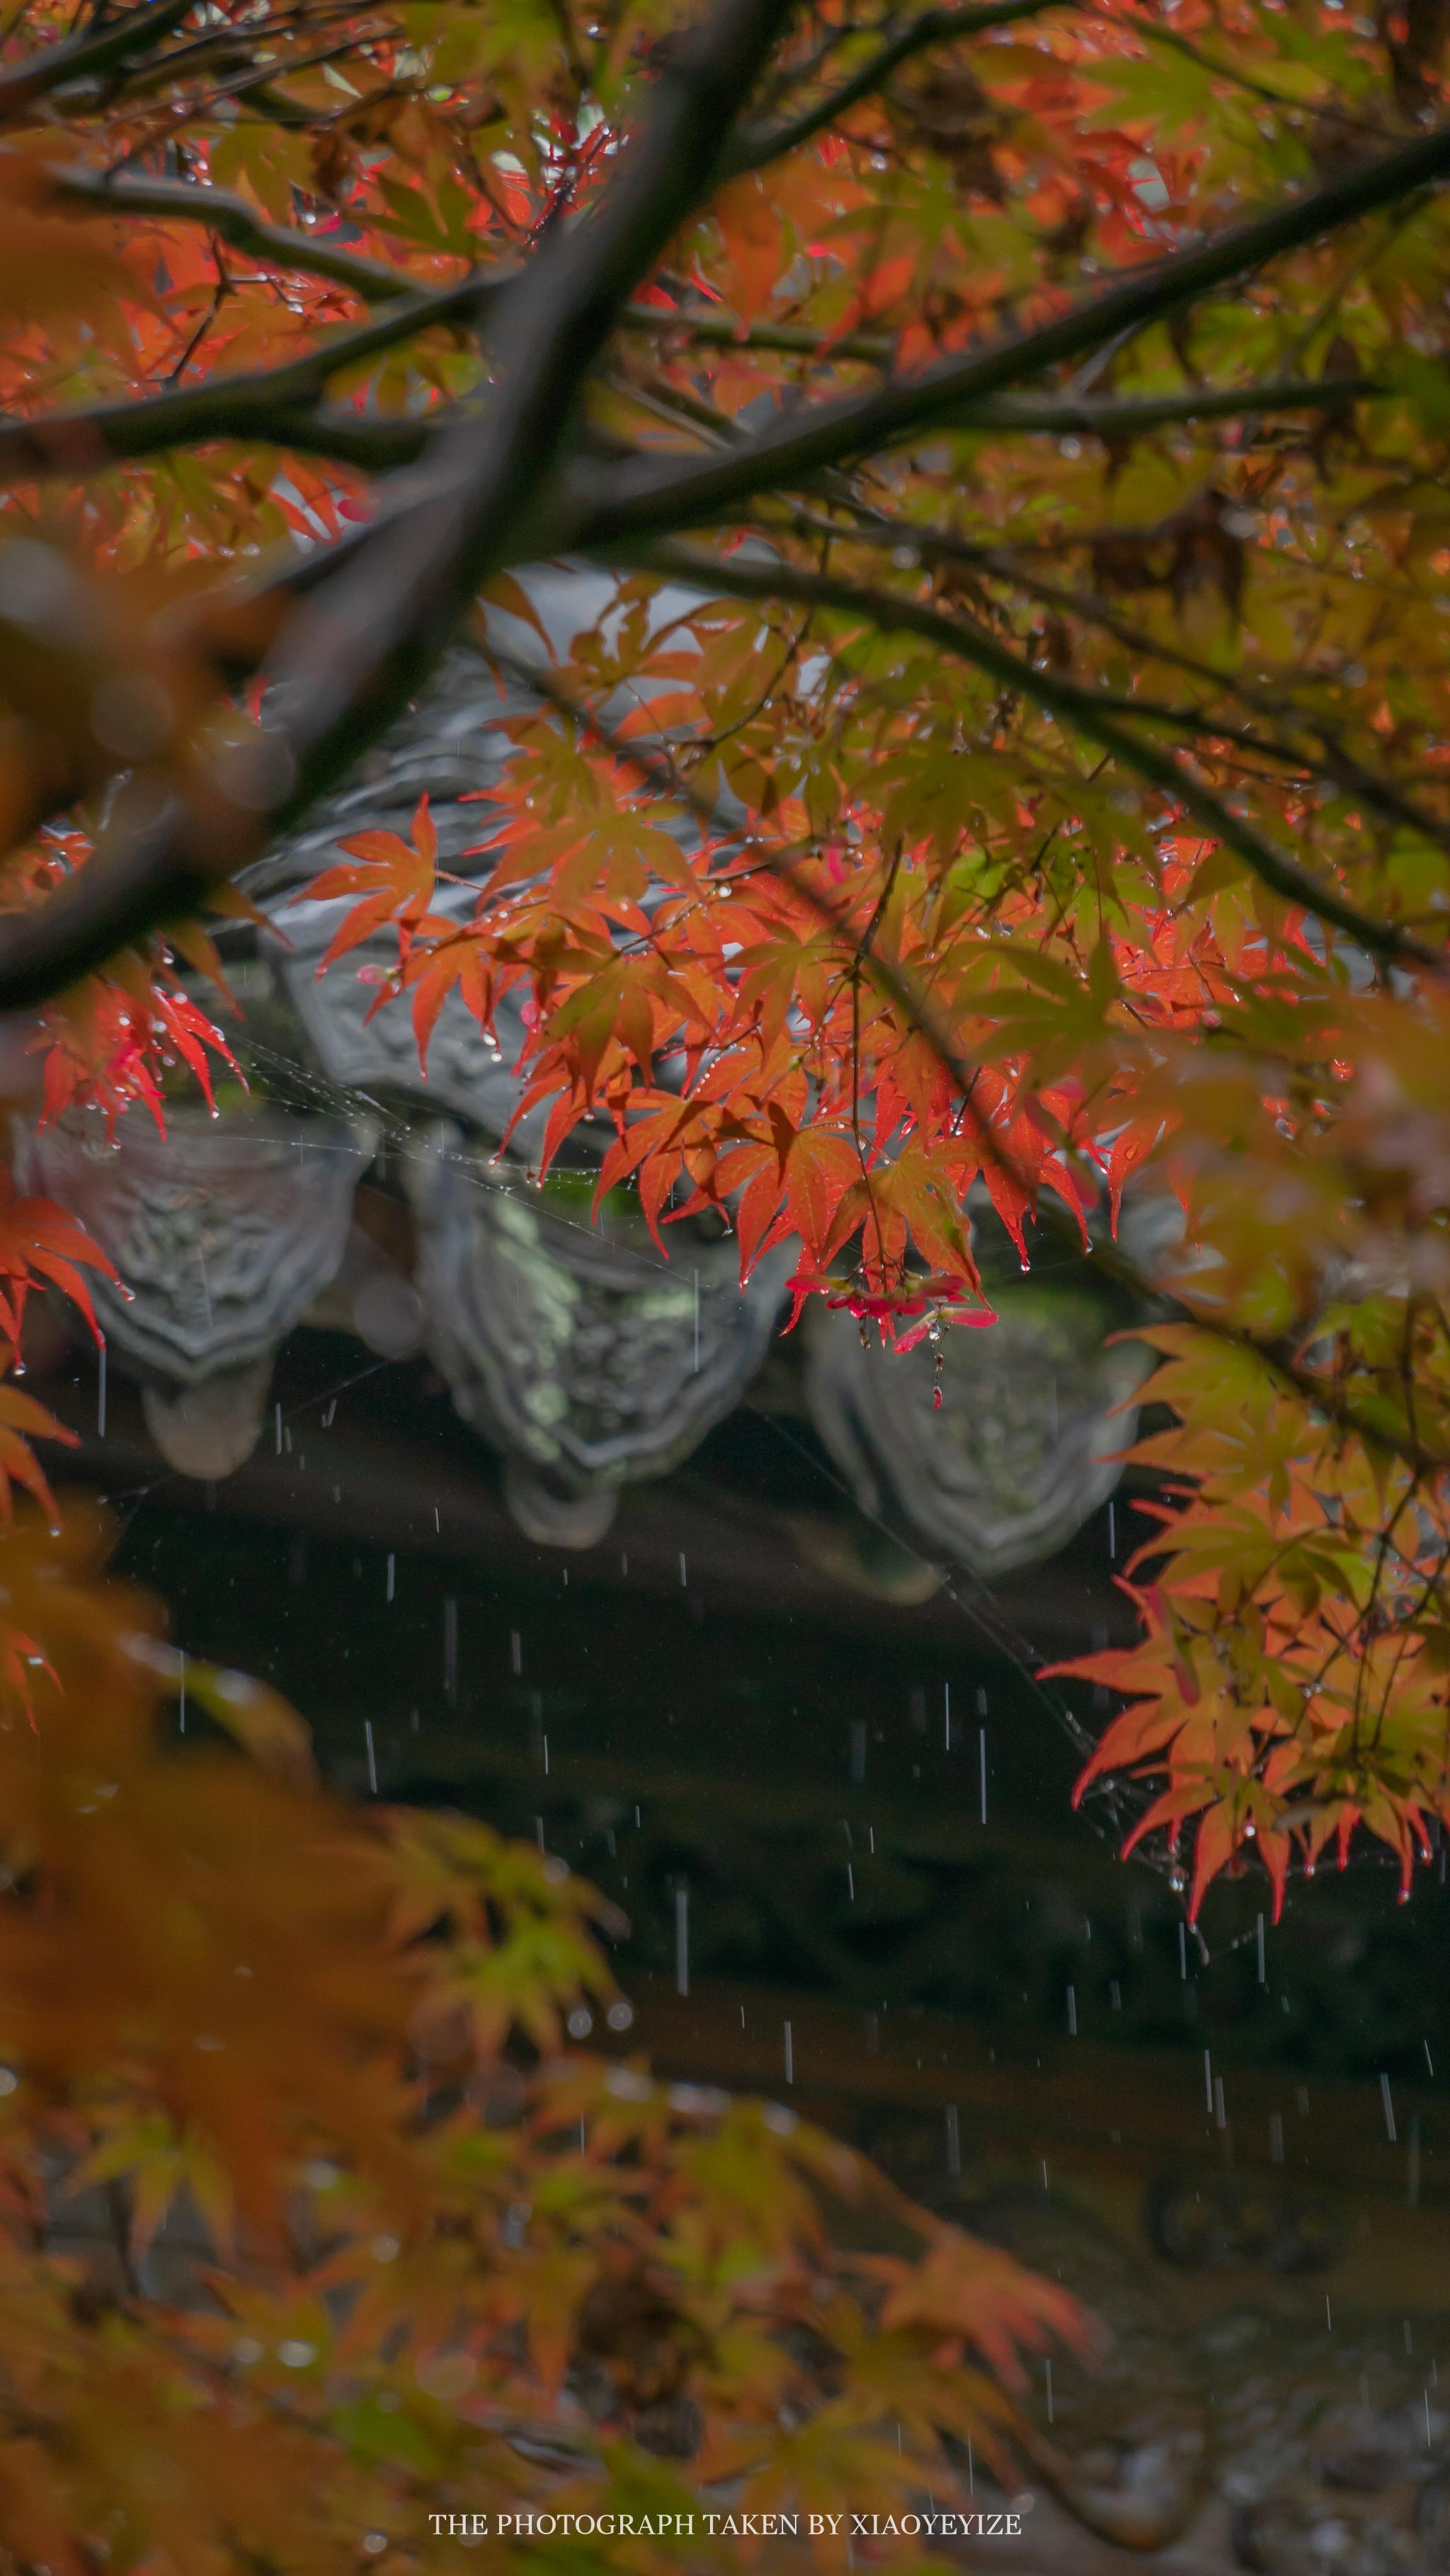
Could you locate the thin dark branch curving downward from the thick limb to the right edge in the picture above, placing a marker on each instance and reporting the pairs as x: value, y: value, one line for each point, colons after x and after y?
x: 1060, y: 699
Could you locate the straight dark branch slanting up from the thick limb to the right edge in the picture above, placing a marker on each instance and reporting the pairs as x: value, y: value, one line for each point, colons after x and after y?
x: 668, y: 498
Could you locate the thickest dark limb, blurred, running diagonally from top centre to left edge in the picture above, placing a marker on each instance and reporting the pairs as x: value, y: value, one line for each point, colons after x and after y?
x: 362, y: 643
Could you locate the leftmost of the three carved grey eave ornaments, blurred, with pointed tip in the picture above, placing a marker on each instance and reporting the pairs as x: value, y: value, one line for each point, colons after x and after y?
x: 223, y: 1230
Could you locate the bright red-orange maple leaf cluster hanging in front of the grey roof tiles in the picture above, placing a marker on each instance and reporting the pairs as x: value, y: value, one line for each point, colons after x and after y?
x: 797, y: 1109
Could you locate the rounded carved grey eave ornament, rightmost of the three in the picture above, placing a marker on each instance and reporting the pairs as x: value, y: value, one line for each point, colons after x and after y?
x: 1021, y: 1452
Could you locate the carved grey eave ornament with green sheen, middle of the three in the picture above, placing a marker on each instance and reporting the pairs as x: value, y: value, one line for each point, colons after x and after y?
x: 583, y: 1356
